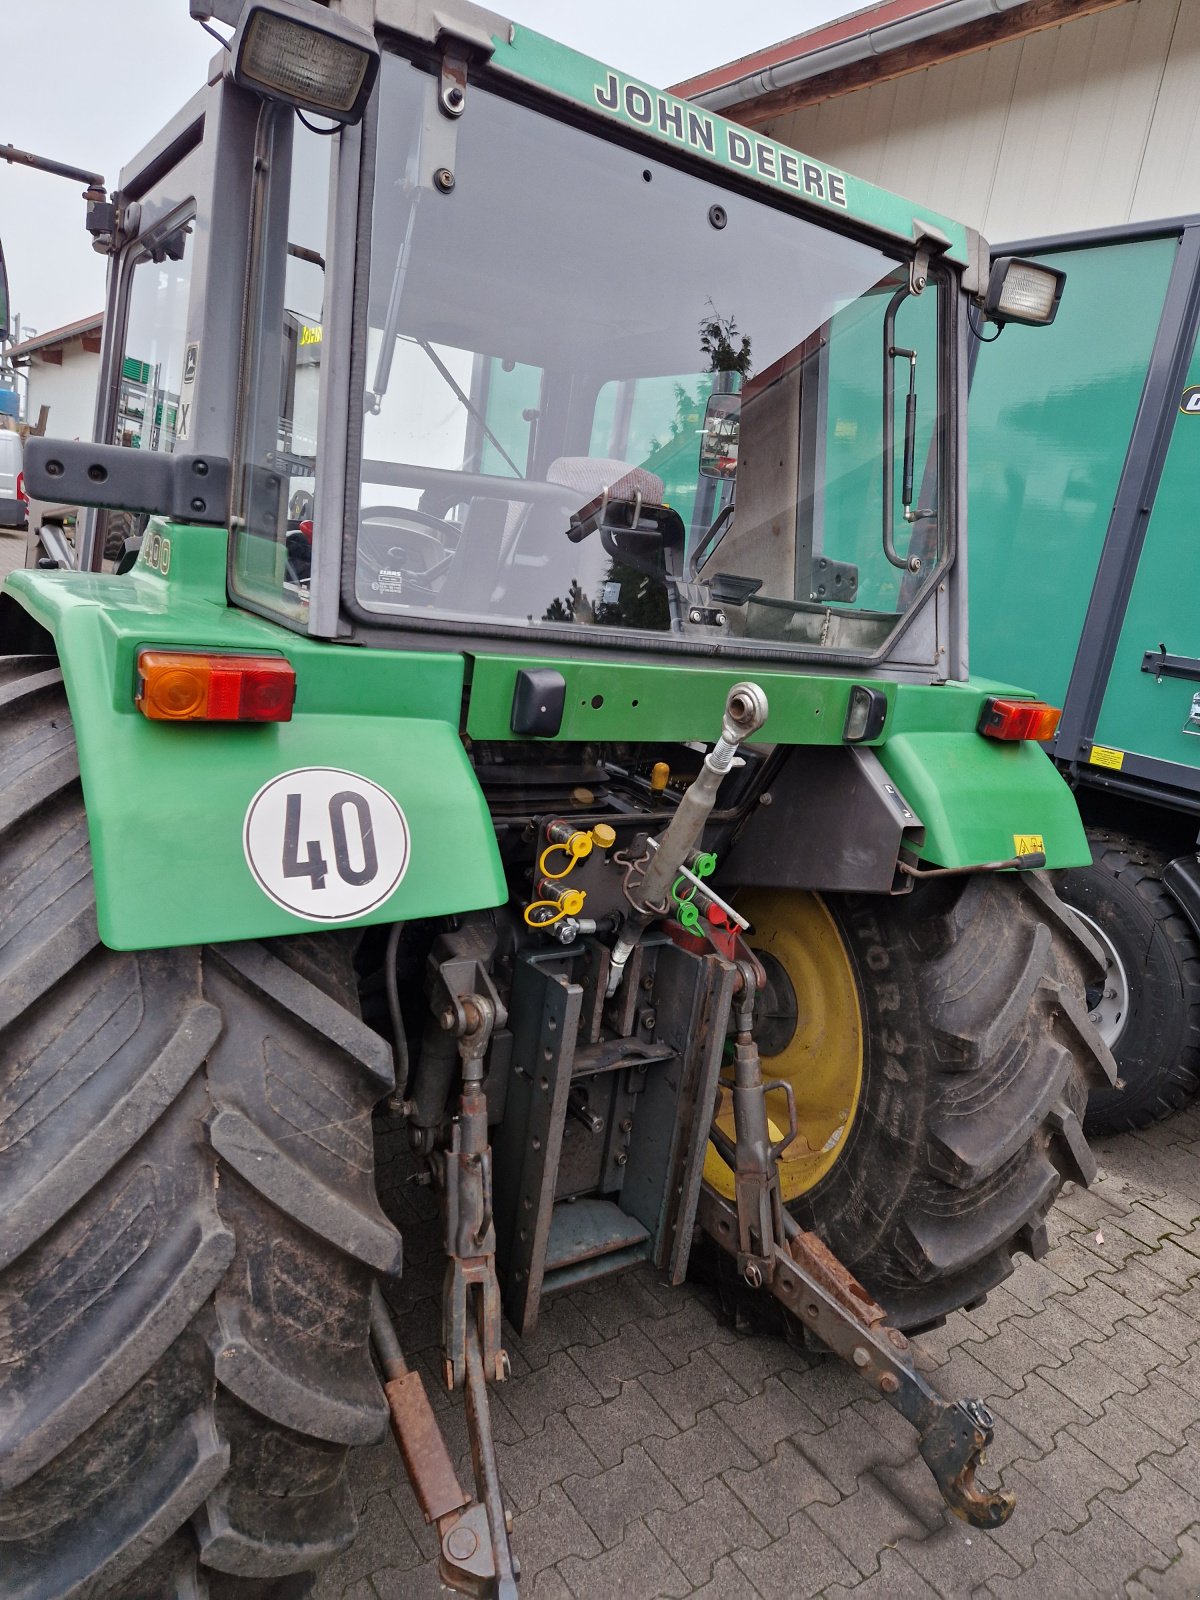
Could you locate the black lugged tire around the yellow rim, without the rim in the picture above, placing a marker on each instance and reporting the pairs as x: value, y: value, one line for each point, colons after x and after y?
x: 970, y: 1119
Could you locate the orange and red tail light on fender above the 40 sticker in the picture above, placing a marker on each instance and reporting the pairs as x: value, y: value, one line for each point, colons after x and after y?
x: 193, y: 687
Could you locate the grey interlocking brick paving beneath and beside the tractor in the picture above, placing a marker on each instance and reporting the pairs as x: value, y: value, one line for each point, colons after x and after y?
x: 650, y: 1450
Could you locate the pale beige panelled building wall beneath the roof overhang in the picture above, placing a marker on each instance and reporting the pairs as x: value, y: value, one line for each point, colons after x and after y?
x: 1089, y: 124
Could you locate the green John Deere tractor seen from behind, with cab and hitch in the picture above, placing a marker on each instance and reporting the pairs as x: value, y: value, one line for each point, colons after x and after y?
x: 538, y: 718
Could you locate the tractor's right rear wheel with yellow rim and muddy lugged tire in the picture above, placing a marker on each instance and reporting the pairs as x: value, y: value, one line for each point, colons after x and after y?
x: 940, y: 1058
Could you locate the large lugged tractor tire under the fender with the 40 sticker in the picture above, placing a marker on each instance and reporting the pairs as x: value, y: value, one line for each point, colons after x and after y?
x: 190, y: 1226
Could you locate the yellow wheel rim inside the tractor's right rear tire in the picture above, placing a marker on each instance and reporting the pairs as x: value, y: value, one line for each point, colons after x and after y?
x: 823, y: 1062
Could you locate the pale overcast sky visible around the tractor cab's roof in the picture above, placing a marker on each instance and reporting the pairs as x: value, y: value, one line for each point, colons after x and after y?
x: 89, y: 82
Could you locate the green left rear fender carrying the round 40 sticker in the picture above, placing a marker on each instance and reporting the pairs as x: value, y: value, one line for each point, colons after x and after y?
x: 167, y: 802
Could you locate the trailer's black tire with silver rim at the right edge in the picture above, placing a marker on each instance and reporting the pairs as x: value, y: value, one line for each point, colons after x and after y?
x: 1148, y: 1006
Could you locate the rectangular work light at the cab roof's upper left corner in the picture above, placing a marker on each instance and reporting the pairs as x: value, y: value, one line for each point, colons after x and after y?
x: 306, y: 55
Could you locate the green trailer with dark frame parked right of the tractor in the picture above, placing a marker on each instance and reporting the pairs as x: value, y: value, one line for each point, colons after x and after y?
x: 1084, y: 482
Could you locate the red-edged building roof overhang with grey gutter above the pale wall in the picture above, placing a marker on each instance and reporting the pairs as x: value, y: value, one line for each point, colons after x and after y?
x: 879, y: 42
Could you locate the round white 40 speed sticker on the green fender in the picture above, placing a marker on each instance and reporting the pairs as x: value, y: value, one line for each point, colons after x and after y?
x: 324, y: 844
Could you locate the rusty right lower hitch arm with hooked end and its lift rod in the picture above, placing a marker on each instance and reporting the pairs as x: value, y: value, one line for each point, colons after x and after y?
x: 823, y: 1295
